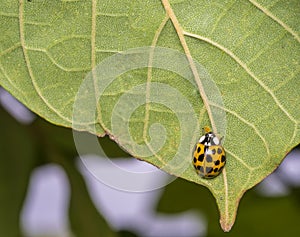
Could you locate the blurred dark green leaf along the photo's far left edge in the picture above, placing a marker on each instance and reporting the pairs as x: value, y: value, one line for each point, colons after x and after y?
x: 17, y: 160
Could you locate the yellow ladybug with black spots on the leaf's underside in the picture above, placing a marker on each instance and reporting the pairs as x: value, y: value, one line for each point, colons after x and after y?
x: 209, y: 155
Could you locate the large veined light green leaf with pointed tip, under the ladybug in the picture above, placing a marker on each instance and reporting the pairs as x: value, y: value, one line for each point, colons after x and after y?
x: 244, y: 80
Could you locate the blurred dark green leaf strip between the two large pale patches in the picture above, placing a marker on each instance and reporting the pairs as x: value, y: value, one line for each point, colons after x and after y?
x: 58, y: 145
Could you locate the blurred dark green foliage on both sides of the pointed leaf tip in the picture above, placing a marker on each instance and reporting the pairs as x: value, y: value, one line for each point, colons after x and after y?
x: 260, y: 216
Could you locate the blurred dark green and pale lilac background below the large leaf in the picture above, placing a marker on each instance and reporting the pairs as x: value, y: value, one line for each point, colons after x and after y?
x: 46, y: 190
